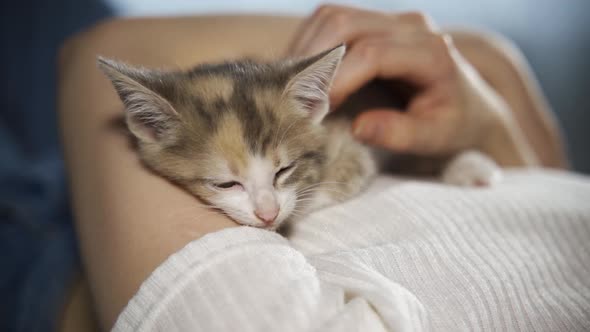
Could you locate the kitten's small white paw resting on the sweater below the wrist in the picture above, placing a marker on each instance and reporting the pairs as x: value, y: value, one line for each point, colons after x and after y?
x: 472, y: 169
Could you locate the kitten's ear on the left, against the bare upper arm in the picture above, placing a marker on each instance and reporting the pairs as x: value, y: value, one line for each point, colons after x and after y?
x: 149, y: 116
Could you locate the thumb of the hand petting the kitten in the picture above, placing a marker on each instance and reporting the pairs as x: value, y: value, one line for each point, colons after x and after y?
x: 391, y: 129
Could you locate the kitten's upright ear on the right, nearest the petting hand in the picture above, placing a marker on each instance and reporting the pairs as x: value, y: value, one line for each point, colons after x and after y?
x: 311, y: 85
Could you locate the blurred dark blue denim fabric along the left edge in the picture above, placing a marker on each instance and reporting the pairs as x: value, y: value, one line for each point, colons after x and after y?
x: 38, y: 253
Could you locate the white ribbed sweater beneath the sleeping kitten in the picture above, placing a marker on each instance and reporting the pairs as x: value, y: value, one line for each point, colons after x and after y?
x: 404, y: 256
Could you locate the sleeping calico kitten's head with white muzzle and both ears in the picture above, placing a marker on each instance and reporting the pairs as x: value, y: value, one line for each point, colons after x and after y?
x: 244, y: 136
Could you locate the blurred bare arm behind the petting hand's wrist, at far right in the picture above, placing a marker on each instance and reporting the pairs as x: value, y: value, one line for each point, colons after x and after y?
x: 501, y: 64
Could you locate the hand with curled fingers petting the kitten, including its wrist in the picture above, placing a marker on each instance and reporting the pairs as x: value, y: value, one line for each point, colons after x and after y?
x: 453, y: 110
